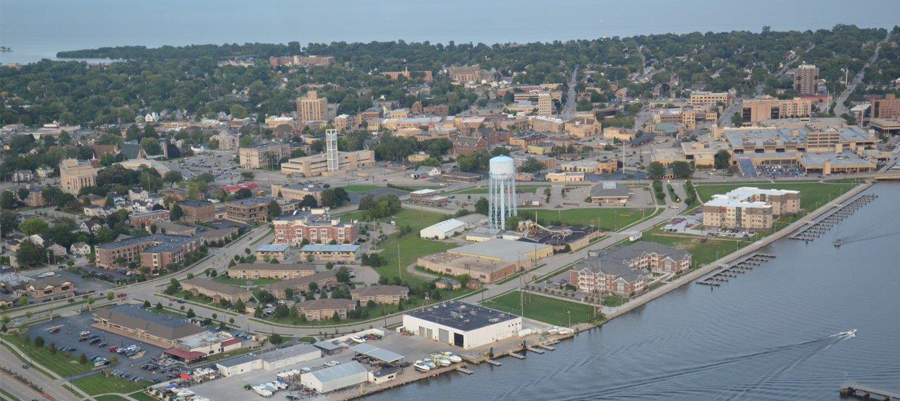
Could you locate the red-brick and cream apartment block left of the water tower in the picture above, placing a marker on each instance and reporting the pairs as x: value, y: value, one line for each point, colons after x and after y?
x: 316, y: 226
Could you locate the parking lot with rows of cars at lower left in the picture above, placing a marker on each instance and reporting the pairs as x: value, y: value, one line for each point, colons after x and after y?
x: 69, y: 336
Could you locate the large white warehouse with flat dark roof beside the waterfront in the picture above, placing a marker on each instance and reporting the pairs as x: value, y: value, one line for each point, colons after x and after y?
x: 462, y: 325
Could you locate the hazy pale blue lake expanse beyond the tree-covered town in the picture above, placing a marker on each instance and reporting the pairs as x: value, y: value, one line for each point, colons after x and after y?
x: 37, y: 29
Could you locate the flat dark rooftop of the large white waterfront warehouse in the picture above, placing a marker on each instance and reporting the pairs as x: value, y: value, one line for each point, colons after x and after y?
x: 462, y: 316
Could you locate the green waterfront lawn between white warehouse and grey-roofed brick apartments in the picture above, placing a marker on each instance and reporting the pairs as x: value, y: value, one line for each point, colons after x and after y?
x: 544, y: 309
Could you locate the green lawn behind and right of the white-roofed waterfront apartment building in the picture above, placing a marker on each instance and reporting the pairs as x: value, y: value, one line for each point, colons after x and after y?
x: 812, y: 194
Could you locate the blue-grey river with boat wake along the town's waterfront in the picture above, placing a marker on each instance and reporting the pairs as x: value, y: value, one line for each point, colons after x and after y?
x: 769, y: 334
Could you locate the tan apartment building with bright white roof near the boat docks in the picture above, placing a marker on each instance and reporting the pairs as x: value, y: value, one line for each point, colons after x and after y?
x: 750, y: 209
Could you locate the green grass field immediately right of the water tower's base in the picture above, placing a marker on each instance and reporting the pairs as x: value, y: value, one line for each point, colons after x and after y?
x: 608, y: 219
